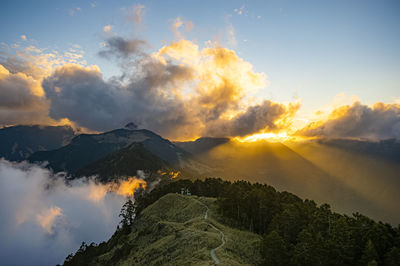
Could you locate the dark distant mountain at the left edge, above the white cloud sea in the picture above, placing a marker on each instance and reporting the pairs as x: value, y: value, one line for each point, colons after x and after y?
x: 17, y: 143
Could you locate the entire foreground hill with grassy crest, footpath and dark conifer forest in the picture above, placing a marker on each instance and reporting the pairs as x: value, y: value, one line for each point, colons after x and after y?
x: 244, y: 224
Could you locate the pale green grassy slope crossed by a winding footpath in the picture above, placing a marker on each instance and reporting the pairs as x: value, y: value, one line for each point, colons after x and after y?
x: 173, y: 231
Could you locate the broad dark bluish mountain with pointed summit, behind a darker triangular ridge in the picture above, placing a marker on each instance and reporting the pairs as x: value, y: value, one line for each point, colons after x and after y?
x: 87, y: 149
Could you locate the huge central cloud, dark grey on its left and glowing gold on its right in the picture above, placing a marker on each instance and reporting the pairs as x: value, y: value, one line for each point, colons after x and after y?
x: 175, y: 91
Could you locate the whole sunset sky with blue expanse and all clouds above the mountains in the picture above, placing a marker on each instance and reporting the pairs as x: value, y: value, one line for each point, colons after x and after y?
x: 283, y: 60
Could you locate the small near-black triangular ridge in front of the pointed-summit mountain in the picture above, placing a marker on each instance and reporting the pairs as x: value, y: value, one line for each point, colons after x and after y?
x: 124, y: 162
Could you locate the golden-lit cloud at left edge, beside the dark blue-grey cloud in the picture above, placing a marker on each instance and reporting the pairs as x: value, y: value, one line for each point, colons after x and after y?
x: 22, y: 98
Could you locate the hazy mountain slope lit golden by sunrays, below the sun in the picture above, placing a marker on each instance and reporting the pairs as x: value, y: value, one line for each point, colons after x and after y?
x: 351, y: 175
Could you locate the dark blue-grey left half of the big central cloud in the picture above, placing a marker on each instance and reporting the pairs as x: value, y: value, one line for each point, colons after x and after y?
x: 81, y: 95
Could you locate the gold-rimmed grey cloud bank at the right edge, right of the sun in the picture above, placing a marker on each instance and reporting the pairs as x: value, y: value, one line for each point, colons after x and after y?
x: 379, y: 121
